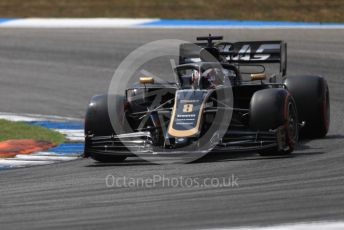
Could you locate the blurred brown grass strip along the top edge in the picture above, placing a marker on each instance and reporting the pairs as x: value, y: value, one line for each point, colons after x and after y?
x: 282, y: 10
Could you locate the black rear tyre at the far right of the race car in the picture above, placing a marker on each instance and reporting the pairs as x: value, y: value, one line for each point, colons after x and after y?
x: 312, y: 97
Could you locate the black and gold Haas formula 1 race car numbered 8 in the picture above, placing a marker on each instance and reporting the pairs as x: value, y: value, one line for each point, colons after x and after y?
x: 223, y: 100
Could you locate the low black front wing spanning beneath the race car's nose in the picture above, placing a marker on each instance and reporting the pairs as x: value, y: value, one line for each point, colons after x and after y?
x: 141, y: 143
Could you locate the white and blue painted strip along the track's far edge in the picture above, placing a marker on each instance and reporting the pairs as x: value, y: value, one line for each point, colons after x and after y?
x: 153, y: 23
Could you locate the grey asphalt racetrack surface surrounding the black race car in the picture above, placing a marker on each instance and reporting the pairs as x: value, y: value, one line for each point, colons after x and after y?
x: 56, y: 72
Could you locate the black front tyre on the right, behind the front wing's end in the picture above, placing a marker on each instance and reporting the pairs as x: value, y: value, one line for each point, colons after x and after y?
x: 271, y: 109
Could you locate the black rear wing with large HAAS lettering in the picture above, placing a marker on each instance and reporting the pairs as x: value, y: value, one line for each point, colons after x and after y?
x: 252, y: 52
